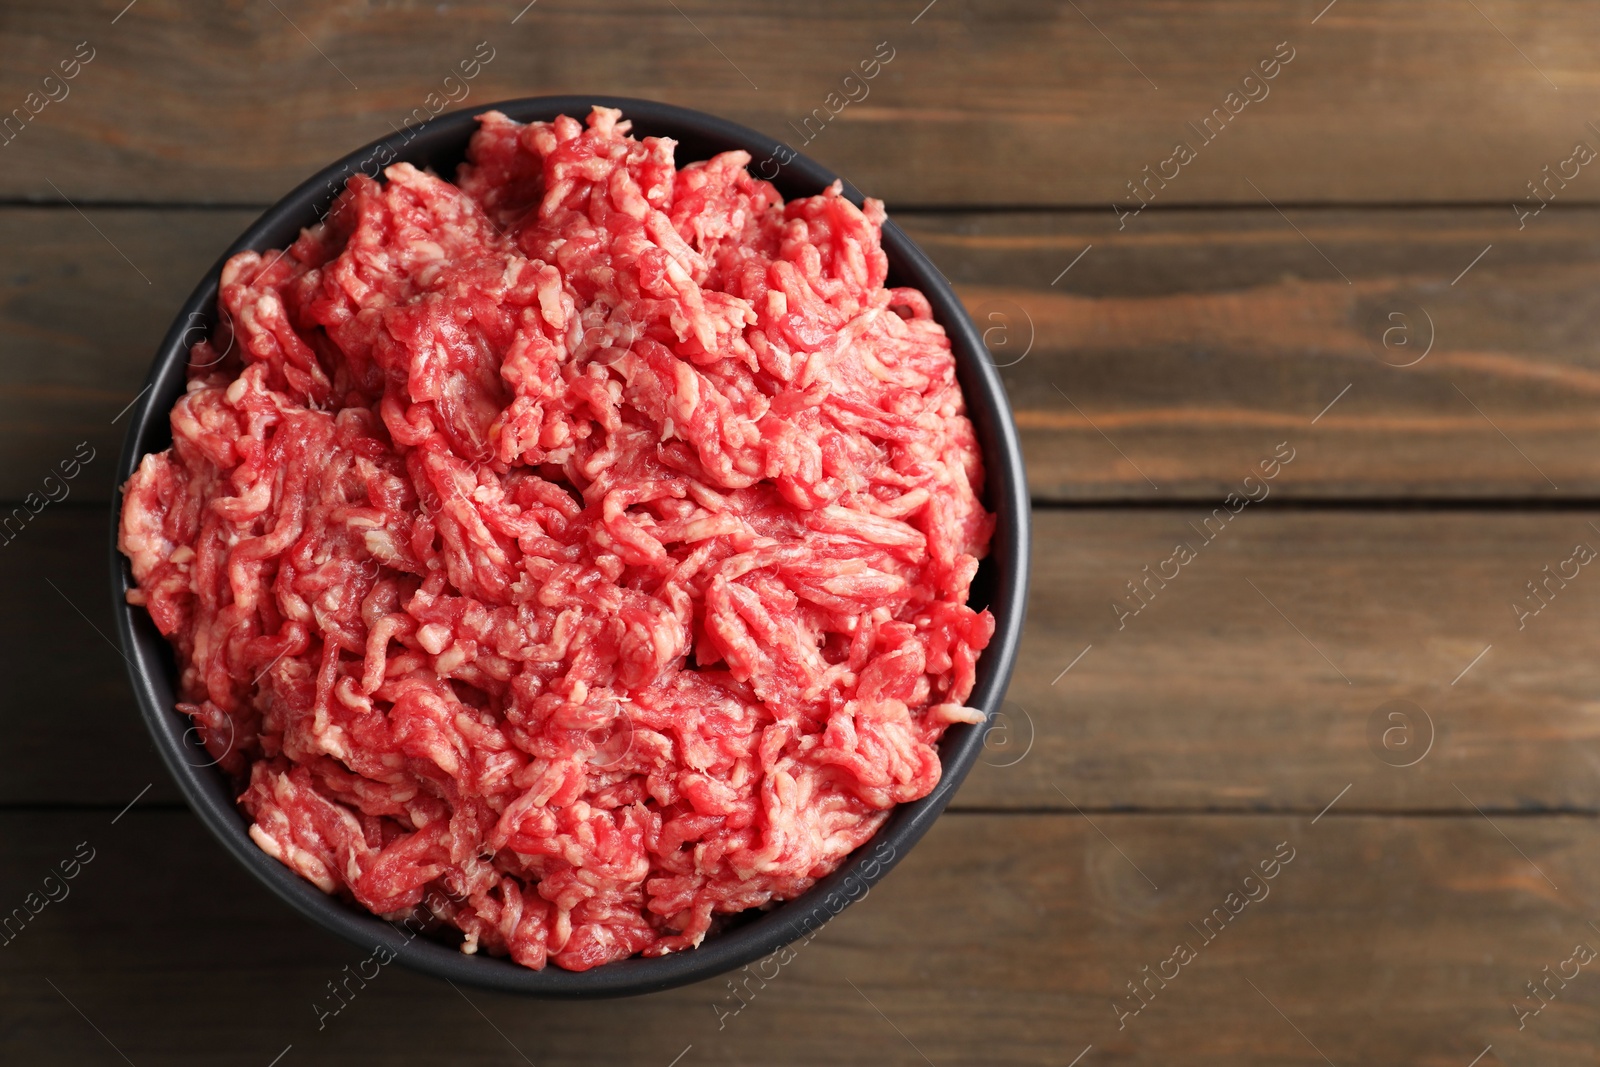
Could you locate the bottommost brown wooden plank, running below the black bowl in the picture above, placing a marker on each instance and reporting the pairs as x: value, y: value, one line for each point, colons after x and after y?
x: 1001, y: 940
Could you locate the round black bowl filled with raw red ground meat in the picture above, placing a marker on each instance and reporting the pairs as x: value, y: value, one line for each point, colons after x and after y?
x: 572, y: 546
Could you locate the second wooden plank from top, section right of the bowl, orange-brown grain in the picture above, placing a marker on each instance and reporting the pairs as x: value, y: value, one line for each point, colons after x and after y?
x: 1170, y: 356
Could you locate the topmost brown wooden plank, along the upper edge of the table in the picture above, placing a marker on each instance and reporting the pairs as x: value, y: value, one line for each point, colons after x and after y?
x: 1044, y: 105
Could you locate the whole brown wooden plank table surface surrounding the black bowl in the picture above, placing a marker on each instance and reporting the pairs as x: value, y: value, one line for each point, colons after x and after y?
x: 1340, y: 677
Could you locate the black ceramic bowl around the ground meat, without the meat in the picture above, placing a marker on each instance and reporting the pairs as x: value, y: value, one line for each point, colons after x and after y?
x: 1002, y: 580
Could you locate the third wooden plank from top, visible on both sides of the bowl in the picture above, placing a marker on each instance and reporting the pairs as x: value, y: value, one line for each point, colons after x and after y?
x: 1206, y: 700
